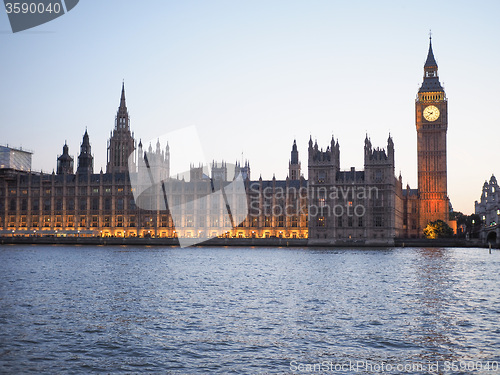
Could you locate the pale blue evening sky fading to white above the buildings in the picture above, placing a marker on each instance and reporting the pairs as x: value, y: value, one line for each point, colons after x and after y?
x: 252, y: 76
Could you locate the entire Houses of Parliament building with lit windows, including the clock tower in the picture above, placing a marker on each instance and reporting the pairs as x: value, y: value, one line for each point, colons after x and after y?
x: 332, y: 206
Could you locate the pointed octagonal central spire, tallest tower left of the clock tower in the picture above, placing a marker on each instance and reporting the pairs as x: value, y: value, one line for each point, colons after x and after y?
x: 121, y: 143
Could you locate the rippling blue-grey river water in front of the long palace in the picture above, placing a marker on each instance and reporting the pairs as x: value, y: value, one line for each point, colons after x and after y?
x: 236, y: 310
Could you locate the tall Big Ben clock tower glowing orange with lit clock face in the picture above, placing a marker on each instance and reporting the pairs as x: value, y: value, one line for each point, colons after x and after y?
x: 431, y: 110
